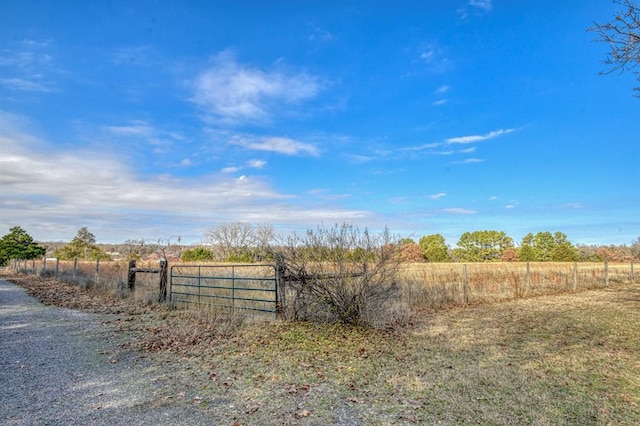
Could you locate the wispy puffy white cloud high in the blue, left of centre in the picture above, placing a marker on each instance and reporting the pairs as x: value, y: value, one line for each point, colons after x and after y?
x: 234, y: 93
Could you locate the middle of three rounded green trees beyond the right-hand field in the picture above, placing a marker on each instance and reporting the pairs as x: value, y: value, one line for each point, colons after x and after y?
x: 482, y: 246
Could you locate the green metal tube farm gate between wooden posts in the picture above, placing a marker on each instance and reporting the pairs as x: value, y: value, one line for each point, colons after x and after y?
x: 233, y: 287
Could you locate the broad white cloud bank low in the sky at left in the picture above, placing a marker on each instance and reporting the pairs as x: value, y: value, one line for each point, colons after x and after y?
x: 54, y: 193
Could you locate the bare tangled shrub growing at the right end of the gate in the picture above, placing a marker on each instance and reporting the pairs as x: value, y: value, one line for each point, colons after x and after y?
x: 340, y: 274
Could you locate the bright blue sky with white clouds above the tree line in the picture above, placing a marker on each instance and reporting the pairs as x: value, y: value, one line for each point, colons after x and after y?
x: 154, y: 119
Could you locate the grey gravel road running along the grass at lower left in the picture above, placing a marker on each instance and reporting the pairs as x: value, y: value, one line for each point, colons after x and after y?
x: 64, y: 367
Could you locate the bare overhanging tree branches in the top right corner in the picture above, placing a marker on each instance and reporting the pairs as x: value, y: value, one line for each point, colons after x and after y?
x: 622, y: 34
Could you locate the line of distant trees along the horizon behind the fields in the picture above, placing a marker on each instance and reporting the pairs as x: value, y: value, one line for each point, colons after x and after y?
x: 246, y: 243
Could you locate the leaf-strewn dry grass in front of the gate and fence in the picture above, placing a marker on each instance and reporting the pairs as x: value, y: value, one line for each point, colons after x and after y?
x: 571, y: 358
